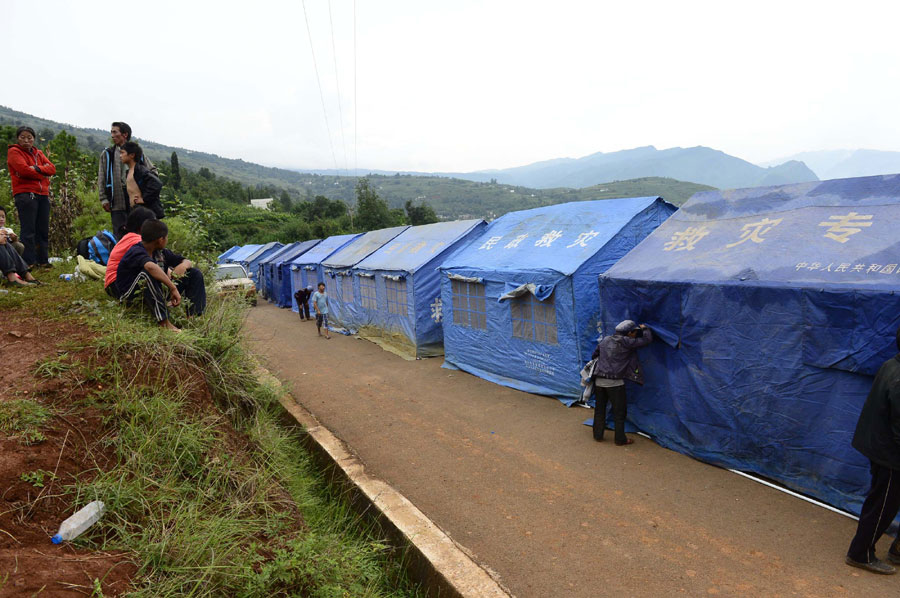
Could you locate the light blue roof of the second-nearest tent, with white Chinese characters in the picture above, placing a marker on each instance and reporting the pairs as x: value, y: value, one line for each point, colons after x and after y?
x: 557, y: 238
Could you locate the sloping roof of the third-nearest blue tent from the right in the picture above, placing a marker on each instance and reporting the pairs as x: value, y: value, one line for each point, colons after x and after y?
x: 417, y: 245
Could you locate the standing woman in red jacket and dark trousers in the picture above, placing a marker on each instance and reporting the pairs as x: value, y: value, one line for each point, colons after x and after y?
x: 30, y: 171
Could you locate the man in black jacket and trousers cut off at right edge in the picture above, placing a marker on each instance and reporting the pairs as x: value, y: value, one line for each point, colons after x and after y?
x: 878, y: 438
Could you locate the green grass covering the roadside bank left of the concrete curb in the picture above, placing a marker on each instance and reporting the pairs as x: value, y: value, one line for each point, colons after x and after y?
x: 209, y: 492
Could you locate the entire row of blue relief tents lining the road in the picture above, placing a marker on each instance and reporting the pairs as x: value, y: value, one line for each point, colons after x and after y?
x: 773, y: 308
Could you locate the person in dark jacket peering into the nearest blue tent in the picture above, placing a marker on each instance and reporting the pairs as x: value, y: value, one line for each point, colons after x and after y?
x: 615, y: 360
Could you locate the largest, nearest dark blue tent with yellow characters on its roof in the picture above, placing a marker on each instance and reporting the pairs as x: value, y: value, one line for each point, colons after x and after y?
x: 773, y: 308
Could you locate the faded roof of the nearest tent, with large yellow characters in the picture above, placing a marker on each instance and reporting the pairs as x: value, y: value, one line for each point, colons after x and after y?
x: 840, y: 232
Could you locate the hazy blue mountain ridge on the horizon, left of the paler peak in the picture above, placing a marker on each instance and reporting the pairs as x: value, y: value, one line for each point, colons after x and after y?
x: 700, y: 165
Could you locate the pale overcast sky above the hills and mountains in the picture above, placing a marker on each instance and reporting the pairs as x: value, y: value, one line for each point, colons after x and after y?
x: 461, y: 85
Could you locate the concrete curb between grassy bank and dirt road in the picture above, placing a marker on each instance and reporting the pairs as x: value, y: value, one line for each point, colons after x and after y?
x: 440, y: 565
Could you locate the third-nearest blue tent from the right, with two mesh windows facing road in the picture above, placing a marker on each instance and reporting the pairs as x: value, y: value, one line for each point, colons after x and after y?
x: 397, y: 289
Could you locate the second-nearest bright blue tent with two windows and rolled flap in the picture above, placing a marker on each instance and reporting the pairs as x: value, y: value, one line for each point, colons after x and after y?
x: 520, y: 303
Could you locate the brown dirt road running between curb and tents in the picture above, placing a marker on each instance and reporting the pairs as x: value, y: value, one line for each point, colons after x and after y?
x: 519, y: 481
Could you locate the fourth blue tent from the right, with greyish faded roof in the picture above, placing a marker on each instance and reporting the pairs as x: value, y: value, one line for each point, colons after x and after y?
x: 337, y: 266
